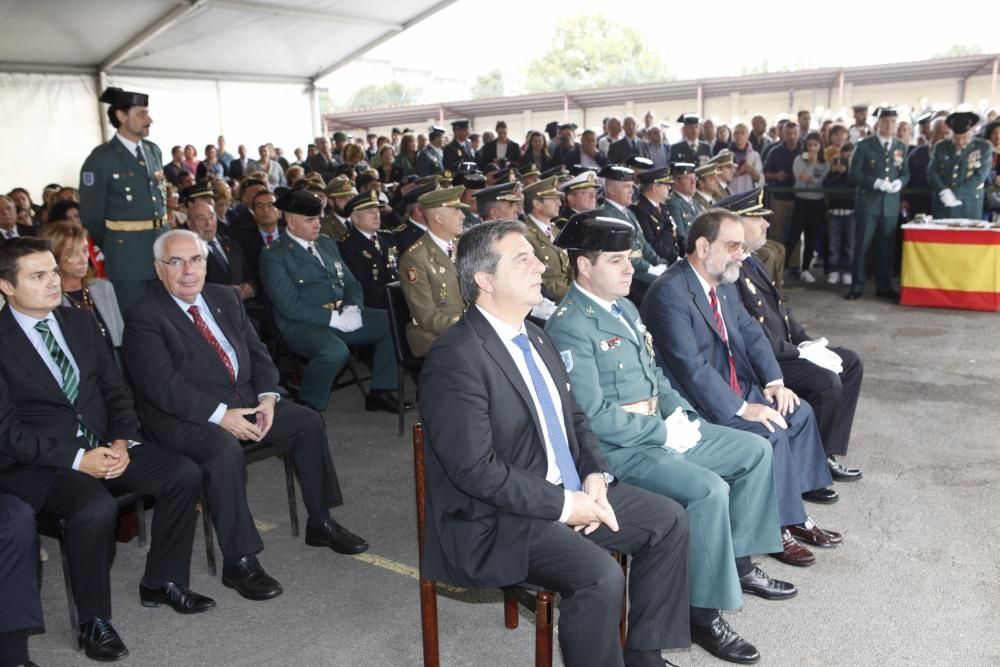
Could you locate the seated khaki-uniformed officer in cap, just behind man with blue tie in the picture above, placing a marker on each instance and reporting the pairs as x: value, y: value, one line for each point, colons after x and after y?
x: 429, y: 279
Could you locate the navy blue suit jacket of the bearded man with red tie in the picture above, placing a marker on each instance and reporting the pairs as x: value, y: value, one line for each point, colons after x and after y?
x: 690, y: 349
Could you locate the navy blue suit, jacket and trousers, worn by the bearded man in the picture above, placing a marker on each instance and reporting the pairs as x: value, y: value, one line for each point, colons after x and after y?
x: 693, y: 356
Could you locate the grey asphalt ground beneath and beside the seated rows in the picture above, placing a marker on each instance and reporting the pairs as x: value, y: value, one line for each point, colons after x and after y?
x: 915, y: 581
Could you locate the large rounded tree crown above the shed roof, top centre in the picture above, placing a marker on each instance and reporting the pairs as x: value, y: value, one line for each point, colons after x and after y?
x: 591, y: 51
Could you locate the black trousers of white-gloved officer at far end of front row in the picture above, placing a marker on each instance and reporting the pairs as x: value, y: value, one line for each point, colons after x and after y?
x: 833, y: 397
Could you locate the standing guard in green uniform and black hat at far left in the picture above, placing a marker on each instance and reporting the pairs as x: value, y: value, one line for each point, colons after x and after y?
x: 123, y: 194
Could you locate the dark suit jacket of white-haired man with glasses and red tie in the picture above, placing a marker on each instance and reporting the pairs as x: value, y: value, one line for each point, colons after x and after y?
x: 179, y: 378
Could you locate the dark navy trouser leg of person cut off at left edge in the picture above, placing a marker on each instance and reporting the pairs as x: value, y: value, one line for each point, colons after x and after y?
x: 22, y: 608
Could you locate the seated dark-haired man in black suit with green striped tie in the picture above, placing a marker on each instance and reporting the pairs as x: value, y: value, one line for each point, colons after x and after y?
x: 71, y: 442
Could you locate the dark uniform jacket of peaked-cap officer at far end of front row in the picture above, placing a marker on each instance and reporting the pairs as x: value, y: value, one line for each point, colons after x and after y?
x: 767, y: 305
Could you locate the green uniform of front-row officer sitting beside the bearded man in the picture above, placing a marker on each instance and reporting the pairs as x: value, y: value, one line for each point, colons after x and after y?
x: 725, y: 482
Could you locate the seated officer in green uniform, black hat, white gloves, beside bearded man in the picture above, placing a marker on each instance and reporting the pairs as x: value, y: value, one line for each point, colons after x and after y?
x: 654, y: 439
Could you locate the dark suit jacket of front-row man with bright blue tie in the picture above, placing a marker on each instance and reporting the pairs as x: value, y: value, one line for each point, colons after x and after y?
x: 486, y: 461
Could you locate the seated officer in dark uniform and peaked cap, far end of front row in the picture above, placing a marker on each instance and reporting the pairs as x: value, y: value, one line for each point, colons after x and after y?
x: 828, y: 378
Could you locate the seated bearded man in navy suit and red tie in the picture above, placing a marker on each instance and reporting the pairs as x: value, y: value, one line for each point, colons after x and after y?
x: 718, y: 358
